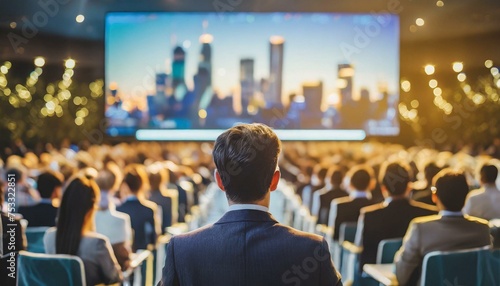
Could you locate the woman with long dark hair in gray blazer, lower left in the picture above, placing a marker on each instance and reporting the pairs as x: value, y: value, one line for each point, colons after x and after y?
x: 75, y: 233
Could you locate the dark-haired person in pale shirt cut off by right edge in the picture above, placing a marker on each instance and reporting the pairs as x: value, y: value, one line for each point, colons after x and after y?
x: 485, y: 202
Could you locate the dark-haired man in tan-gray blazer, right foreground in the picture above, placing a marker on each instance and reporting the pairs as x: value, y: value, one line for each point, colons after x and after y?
x: 450, y: 230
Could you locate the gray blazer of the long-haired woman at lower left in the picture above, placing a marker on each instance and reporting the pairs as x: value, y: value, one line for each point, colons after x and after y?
x: 97, y: 255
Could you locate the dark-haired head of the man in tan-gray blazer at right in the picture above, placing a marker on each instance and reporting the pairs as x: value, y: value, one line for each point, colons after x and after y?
x: 451, y: 189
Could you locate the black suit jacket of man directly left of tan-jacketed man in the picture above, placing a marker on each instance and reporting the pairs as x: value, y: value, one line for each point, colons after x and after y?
x: 385, y: 221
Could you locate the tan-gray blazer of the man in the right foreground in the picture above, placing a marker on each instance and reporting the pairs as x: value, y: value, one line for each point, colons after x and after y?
x: 438, y: 233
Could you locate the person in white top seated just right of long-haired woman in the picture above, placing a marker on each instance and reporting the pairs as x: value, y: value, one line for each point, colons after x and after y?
x: 114, y: 225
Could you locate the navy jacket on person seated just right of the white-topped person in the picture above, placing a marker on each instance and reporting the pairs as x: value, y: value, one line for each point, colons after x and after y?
x: 142, y: 221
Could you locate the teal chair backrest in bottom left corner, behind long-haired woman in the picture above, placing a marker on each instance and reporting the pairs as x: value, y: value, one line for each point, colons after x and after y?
x: 49, y: 269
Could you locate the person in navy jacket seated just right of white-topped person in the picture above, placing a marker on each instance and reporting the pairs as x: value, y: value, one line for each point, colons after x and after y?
x: 143, y: 213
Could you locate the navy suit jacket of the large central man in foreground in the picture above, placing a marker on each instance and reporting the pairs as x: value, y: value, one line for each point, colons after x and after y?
x: 248, y: 247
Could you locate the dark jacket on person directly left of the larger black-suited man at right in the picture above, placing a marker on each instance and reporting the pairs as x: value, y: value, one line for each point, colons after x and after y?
x: 347, y: 210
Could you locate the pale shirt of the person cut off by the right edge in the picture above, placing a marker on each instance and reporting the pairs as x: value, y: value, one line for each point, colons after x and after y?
x: 483, y: 202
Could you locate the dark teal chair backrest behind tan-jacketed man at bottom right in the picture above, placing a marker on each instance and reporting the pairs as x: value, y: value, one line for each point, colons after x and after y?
x: 461, y: 267
